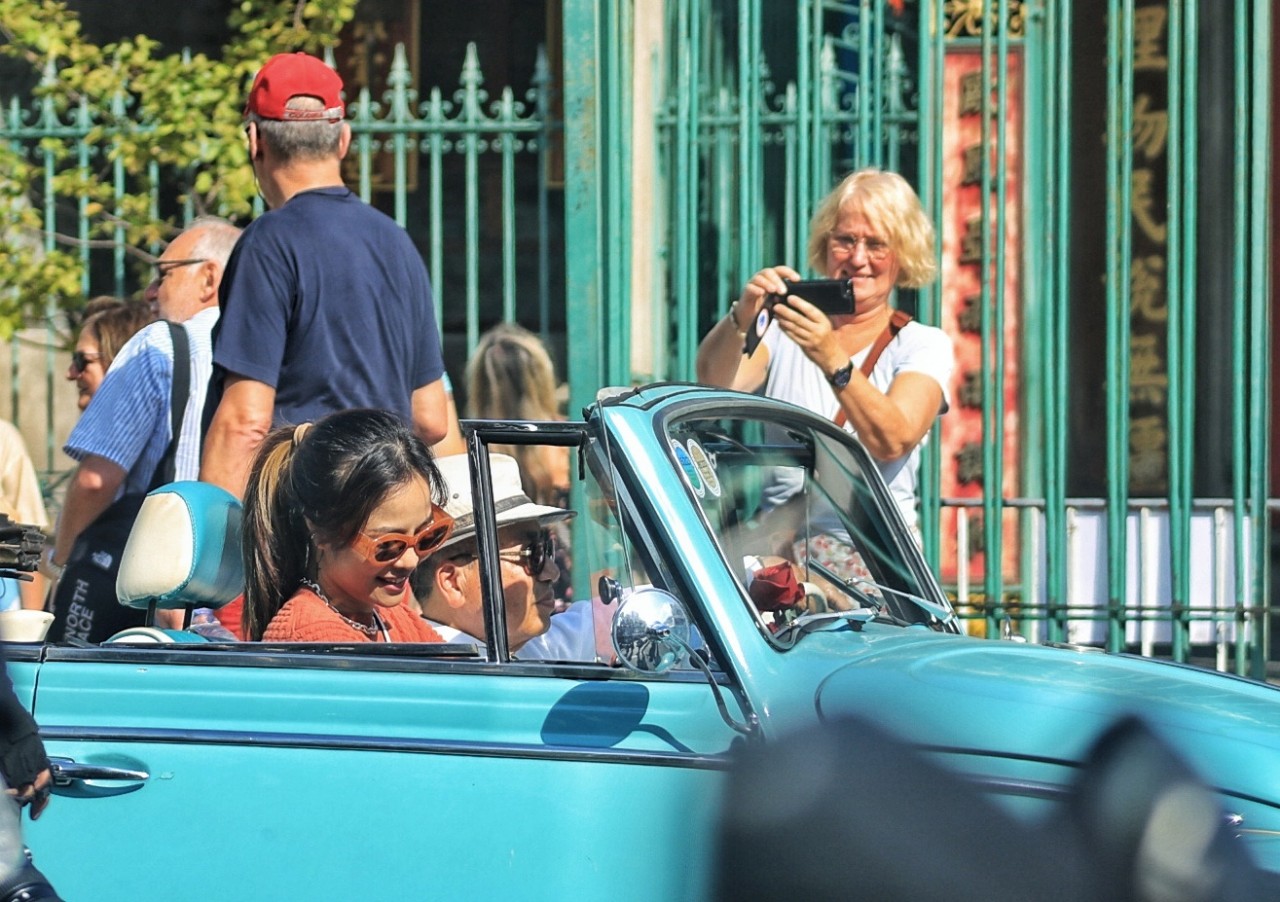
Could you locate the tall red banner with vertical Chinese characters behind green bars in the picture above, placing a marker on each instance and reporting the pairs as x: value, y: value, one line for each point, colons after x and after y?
x: 963, y: 282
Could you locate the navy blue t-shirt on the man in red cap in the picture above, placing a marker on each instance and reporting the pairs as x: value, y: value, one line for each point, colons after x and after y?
x: 328, y: 301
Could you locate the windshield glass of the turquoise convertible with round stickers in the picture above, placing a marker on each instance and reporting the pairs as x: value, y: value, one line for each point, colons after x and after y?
x: 803, y: 523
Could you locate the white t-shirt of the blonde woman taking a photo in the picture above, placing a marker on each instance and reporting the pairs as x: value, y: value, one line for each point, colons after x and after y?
x: 794, y: 378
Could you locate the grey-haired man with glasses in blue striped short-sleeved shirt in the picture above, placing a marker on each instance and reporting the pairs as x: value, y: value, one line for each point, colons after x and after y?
x: 124, y: 436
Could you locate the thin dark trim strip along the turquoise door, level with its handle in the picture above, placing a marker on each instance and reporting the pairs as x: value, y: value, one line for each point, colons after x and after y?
x: 382, y: 744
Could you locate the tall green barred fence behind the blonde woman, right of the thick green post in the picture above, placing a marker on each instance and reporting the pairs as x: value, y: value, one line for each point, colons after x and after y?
x: 1118, y: 484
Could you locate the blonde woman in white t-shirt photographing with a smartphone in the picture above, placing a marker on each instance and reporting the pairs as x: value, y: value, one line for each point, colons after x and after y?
x: 872, y: 232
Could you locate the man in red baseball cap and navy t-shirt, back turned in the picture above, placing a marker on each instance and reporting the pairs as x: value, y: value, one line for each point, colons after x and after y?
x: 327, y: 304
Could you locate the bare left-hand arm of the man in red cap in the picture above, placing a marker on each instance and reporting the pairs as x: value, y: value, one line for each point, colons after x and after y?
x: 241, y: 423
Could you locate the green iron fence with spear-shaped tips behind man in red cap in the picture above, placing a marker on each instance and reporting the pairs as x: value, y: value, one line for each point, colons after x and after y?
x: 469, y: 175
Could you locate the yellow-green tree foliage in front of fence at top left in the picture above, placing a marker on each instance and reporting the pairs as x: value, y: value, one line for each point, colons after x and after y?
x: 135, y: 117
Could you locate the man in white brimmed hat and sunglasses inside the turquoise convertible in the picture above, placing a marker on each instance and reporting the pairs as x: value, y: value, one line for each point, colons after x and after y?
x: 447, y: 585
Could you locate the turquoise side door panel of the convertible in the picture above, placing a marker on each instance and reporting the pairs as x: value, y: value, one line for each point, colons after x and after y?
x: 423, y: 775
